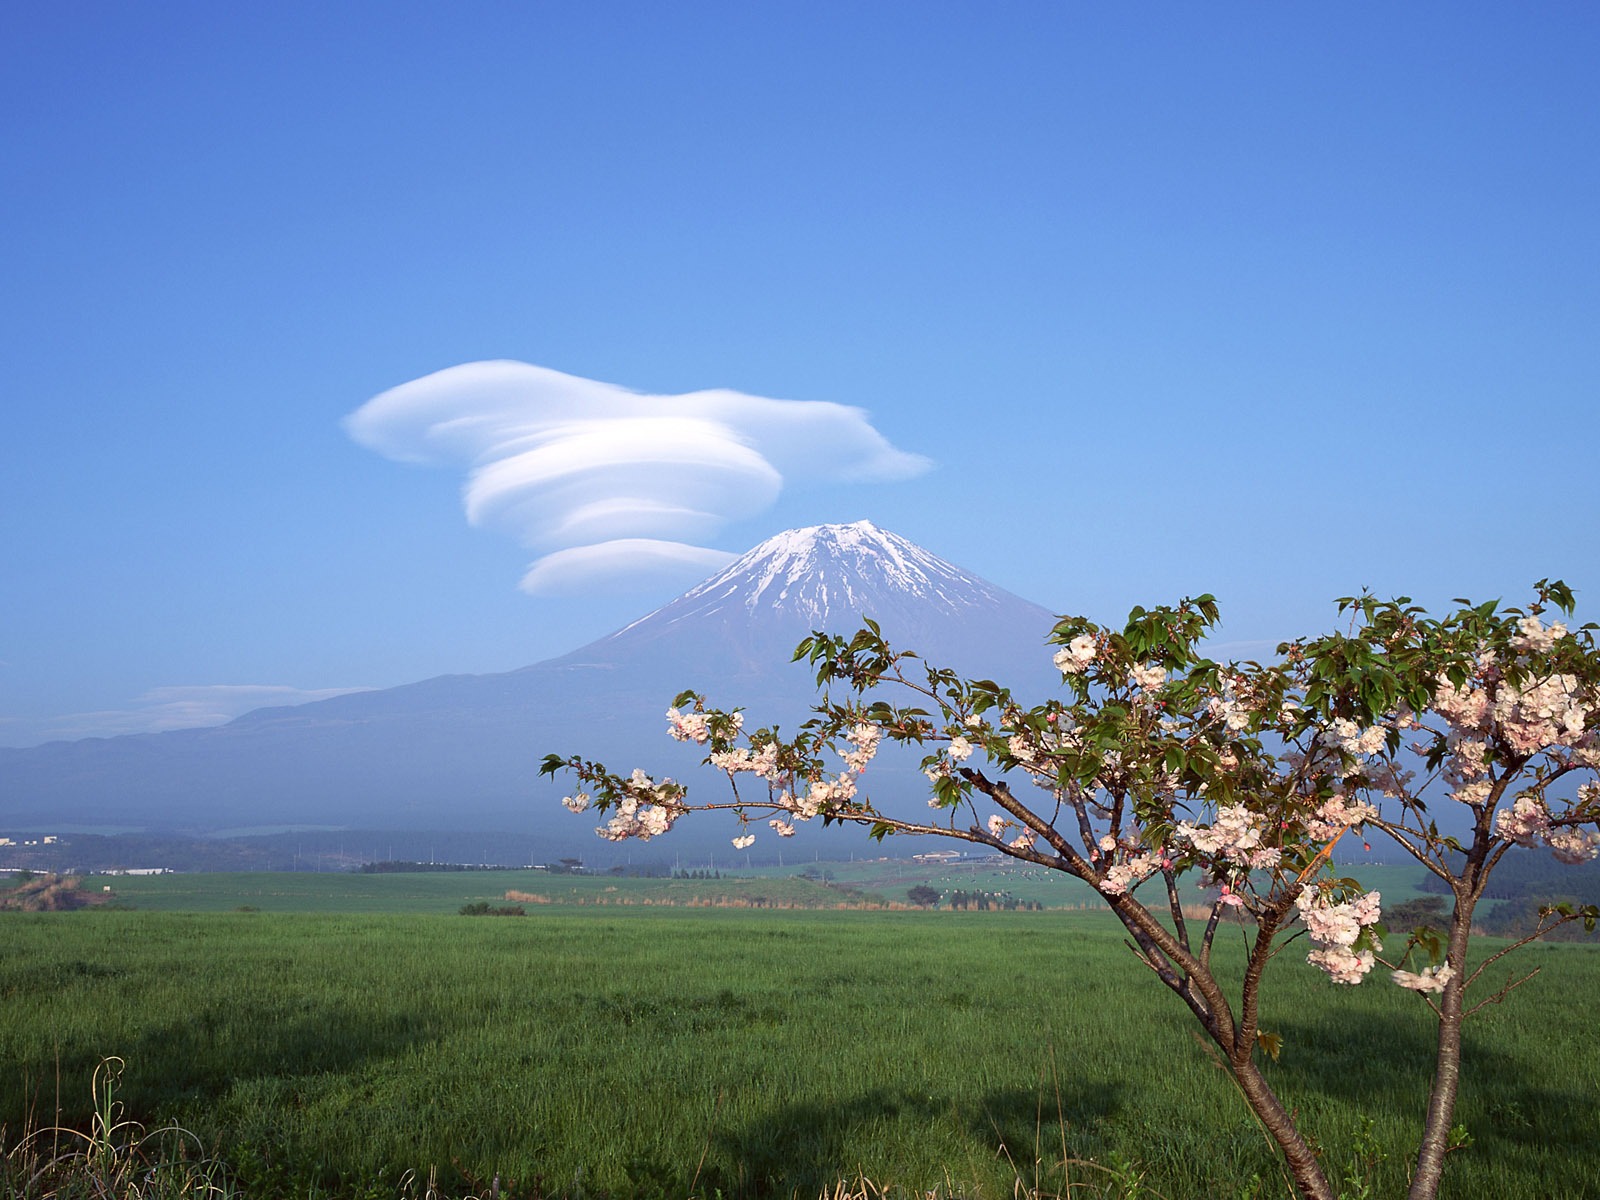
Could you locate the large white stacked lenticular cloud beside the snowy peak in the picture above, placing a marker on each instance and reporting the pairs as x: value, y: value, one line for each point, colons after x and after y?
x: 609, y: 484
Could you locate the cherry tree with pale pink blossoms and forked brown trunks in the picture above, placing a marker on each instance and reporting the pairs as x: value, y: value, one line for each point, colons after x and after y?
x: 1158, y: 762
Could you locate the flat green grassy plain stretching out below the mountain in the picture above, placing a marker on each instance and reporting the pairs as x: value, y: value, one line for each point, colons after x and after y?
x: 791, y: 1031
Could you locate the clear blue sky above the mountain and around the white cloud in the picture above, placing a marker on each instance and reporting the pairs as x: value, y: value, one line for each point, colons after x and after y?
x: 1262, y: 300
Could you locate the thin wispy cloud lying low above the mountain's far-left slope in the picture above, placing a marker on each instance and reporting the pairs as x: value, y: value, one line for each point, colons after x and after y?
x: 162, y: 710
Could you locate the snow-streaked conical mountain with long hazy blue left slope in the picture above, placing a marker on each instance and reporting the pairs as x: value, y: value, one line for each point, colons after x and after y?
x: 462, y: 751
